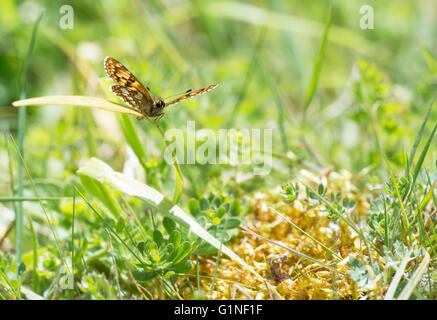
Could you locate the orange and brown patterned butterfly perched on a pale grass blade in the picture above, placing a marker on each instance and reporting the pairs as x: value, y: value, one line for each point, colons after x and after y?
x: 136, y: 95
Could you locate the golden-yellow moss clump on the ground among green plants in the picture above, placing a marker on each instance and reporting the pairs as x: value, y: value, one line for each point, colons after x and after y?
x: 293, y: 276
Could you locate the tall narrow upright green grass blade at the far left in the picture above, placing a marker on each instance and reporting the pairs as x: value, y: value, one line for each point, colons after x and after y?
x: 21, y: 134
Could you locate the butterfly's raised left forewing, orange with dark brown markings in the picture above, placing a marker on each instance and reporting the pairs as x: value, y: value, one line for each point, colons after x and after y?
x: 119, y: 73
